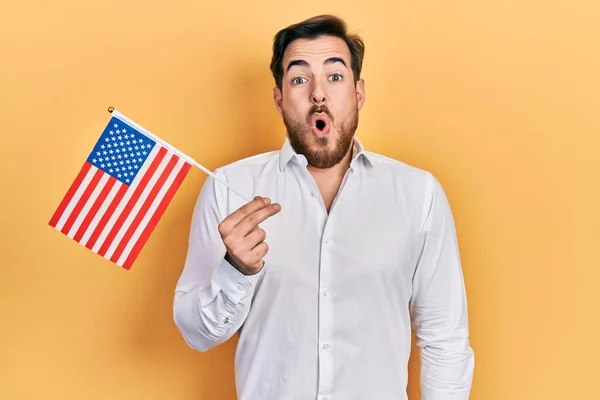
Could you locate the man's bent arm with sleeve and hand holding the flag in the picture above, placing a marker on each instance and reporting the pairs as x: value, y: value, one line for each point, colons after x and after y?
x: 212, y: 297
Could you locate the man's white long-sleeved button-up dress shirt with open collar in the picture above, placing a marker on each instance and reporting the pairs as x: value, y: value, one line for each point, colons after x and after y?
x: 329, y: 315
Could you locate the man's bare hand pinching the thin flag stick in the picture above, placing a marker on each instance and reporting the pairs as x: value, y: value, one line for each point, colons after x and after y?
x: 243, y: 238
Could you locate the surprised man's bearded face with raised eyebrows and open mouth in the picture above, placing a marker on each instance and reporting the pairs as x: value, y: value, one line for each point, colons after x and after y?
x: 319, y: 102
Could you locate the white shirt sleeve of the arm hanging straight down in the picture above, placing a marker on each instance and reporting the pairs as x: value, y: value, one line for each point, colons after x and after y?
x: 439, y: 305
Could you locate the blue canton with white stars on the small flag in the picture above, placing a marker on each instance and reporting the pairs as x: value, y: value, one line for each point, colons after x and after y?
x: 121, y: 151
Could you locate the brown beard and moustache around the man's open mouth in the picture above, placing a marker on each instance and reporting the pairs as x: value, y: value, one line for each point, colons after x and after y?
x: 316, y: 149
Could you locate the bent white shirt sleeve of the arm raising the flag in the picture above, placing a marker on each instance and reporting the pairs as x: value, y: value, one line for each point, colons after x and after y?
x: 212, y: 298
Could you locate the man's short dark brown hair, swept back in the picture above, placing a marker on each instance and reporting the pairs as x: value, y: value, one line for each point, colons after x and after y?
x: 322, y: 25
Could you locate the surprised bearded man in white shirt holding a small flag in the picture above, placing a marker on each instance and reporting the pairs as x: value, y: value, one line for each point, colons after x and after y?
x: 359, y: 248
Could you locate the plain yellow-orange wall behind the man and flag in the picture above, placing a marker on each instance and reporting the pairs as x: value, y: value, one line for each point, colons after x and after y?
x: 499, y: 99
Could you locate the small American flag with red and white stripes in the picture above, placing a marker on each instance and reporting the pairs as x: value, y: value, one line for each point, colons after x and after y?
x: 121, y: 192
